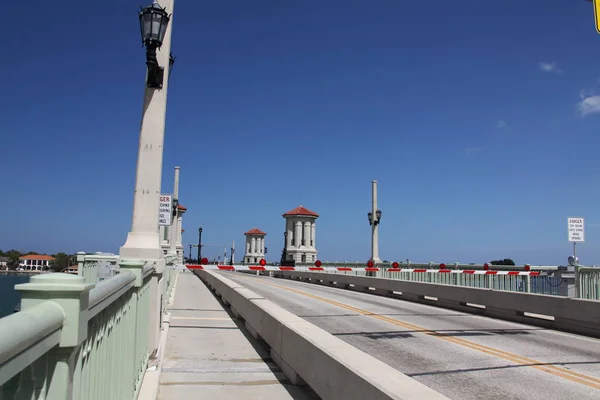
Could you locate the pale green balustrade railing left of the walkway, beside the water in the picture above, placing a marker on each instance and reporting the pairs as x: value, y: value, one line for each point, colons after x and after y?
x: 79, y: 340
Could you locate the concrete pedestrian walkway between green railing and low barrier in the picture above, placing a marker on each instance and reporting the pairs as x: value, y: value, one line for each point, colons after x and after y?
x: 208, y: 356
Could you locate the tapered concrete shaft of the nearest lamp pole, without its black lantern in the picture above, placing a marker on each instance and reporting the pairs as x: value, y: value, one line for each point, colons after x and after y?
x: 143, y: 240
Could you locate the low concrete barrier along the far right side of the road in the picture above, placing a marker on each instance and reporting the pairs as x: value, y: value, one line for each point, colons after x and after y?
x: 555, y: 312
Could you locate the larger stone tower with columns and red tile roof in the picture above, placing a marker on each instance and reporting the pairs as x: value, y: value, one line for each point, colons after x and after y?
x: 300, y: 228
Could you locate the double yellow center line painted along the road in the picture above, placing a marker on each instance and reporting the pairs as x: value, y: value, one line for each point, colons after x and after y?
x: 514, y: 358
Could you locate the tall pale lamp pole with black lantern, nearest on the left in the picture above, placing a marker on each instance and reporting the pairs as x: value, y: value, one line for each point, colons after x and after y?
x: 143, y: 240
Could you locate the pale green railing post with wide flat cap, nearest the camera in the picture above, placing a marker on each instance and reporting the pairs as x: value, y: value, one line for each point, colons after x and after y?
x: 72, y: 294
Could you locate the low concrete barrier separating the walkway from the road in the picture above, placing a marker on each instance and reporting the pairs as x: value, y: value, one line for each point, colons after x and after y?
x: 309, y: 355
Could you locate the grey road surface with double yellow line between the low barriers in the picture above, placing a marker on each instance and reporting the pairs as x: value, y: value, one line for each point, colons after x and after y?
x: 462, y: 356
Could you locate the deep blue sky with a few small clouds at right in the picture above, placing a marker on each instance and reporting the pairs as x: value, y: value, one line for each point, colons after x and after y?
x: 479, y: 120
